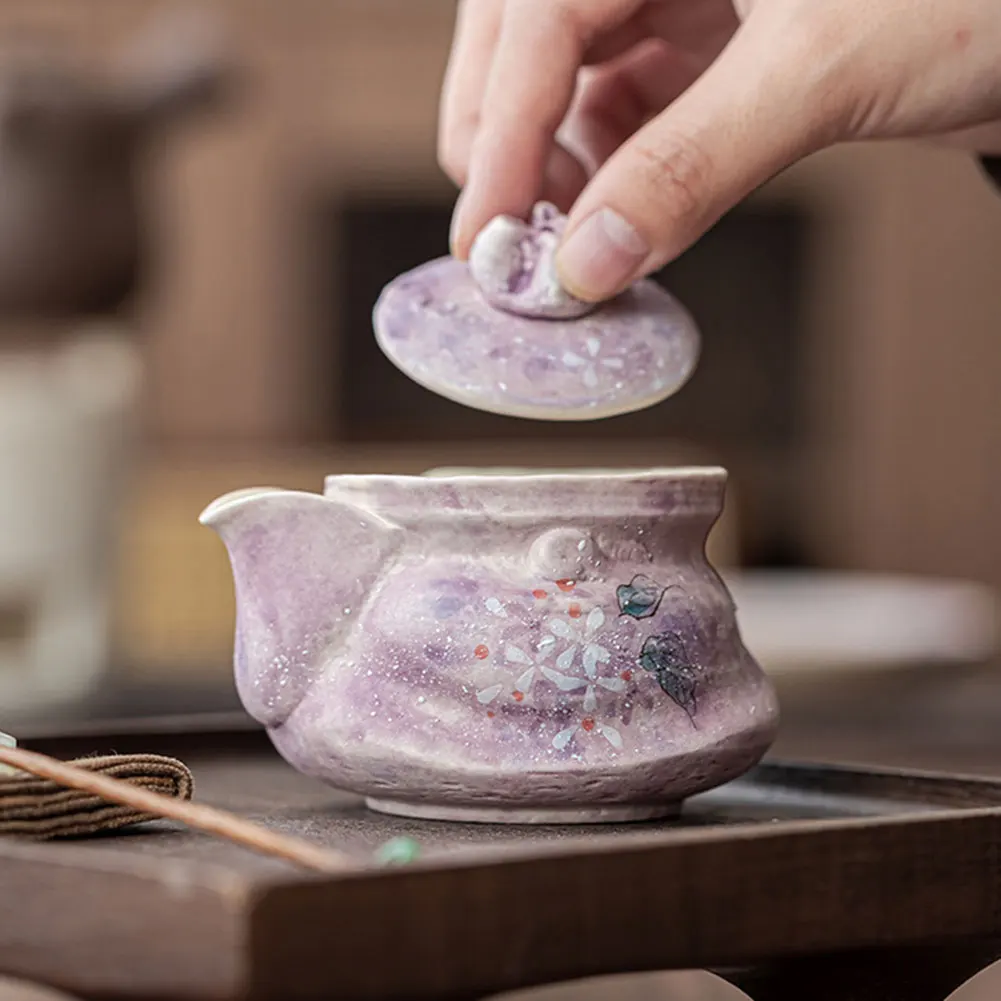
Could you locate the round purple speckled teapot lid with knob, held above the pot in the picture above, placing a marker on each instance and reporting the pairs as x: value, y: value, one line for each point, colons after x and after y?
x: 500, y: 336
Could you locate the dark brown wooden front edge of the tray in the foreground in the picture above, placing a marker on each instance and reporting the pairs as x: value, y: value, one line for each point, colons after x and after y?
x: 706, y: 898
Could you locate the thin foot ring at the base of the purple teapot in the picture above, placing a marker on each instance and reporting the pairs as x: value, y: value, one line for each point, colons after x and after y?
x: 613, y: 814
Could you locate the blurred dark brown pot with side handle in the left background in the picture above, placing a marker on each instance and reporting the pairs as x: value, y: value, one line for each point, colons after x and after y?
x: 72, y: 241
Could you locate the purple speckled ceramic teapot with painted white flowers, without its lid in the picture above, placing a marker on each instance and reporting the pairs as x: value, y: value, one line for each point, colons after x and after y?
x: 517, y: 648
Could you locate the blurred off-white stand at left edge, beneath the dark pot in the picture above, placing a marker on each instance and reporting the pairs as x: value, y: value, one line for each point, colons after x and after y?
x: 68, y: 423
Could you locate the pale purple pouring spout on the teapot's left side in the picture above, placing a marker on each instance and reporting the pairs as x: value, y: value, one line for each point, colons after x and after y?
x: 303, y: 567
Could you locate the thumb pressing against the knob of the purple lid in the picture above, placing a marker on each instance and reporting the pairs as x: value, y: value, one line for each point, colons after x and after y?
x: 749, y: 117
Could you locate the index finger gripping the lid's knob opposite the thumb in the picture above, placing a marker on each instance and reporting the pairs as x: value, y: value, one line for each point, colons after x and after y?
x: 531, y: 87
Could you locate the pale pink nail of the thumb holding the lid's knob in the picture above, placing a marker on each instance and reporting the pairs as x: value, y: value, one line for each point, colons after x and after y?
x: 601, y: 256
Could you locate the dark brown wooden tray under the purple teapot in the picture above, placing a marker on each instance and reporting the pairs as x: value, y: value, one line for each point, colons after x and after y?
x: 797, y: 881
